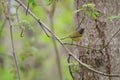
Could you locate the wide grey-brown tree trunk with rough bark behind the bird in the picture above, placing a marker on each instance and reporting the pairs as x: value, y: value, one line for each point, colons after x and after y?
x: 98, y: 33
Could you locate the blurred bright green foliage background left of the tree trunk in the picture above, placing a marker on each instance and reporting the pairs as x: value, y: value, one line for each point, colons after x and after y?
x: 35, y: 51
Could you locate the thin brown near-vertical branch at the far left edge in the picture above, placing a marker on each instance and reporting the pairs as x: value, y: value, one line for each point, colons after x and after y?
x: 7, y: 15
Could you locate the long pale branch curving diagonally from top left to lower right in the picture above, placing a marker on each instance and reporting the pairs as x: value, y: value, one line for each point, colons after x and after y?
x: 68, y: 51
